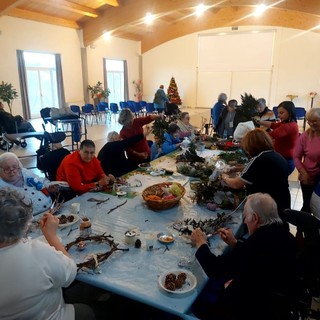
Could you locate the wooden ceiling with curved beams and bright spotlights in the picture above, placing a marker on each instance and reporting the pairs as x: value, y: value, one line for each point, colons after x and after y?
x: 174, y: 18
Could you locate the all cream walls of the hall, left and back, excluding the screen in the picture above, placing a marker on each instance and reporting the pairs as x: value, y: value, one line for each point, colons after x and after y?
x: 296, y: 62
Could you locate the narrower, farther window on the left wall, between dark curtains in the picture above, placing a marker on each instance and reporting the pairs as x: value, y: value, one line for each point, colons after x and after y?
x: 115, y: 80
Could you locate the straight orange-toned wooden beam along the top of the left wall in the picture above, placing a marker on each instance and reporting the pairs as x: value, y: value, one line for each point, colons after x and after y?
x: 30, y: 15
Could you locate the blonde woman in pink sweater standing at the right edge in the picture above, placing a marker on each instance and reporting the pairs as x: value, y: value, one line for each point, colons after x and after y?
x: 307, y: 157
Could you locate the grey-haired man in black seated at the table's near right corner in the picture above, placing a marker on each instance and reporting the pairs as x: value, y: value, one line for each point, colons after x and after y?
x: 246, y: 277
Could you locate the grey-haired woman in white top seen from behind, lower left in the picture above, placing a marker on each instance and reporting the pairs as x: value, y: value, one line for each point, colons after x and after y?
x: 33, y: 272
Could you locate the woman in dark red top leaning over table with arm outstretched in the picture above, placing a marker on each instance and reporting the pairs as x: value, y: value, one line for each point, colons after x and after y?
x: 140, y: 151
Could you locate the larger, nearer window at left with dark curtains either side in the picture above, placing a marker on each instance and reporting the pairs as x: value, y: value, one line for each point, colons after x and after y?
x: 41, y: 81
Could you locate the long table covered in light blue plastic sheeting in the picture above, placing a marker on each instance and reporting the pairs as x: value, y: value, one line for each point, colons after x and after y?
x: 134, y: 273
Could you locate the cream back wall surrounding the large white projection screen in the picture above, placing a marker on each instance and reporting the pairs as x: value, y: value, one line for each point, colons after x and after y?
x: 296, y: 68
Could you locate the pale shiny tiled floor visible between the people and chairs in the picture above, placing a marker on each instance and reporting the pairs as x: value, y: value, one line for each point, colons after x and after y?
x: 98, y: 133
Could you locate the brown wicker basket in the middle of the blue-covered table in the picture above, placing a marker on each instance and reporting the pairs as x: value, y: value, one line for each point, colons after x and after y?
x: 156, y: 189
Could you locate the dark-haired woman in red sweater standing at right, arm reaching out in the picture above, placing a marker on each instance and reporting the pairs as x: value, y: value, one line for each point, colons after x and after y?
x: 285, y: 133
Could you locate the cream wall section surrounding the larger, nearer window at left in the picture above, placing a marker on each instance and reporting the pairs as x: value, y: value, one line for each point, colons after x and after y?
x: 40, y: 37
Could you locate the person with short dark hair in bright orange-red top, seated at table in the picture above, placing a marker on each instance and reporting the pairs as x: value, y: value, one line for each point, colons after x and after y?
x: 82, y: 170
